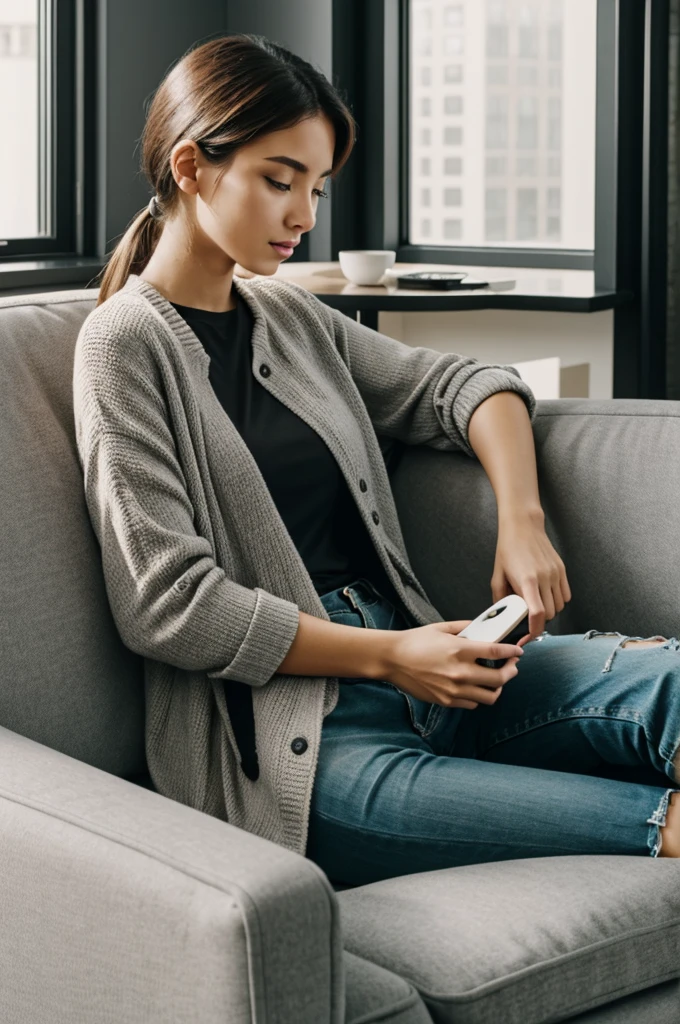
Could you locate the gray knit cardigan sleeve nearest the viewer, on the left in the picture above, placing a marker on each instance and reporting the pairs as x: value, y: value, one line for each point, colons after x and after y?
x: 169, y: 600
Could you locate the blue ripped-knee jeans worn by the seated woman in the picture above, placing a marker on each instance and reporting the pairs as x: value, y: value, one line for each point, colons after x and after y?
x: 574, y: 758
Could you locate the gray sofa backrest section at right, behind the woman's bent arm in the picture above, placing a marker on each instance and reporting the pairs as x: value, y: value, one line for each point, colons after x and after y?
x: 610, y: 486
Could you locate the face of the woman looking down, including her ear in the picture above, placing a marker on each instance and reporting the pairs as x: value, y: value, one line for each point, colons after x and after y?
x: 258, y: 200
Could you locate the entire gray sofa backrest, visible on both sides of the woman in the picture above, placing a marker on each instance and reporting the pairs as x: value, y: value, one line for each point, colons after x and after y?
x: 609, y: 482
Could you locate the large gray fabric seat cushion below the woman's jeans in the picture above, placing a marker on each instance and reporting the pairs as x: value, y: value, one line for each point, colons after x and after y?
x: 523, y: 942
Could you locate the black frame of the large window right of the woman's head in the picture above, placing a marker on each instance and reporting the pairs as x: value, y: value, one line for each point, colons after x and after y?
x: 370, y: 205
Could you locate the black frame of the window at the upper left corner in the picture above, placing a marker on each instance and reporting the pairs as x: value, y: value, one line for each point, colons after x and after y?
x: 65, y: 68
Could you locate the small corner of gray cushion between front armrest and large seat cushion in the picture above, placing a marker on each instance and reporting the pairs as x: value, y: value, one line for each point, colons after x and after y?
x: 376, y: 995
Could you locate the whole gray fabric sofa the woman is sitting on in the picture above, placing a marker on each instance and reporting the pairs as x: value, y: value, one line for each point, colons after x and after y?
x: 121, y: 906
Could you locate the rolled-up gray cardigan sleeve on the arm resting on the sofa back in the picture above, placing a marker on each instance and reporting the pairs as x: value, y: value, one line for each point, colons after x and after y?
x: 416, y: 395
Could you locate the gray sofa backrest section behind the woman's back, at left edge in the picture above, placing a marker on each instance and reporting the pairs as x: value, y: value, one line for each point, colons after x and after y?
x: 67, y: 679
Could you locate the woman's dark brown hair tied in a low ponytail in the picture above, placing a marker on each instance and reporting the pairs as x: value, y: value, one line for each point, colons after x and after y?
x: 222, y: 95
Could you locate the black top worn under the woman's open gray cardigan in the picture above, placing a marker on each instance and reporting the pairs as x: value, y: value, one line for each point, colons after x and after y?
x: 306, y: 482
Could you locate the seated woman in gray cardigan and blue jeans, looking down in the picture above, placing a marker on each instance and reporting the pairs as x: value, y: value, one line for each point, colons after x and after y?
x: 229, y: 433
